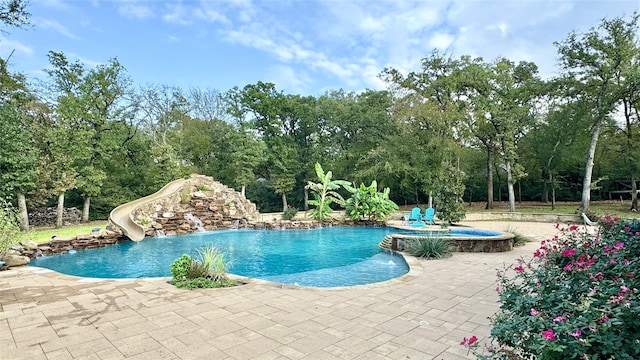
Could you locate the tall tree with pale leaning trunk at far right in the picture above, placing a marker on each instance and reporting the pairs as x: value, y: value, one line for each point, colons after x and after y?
x: 592, y: 62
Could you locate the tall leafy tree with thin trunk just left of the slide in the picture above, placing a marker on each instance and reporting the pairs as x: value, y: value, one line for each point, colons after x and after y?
x: 90, y: 101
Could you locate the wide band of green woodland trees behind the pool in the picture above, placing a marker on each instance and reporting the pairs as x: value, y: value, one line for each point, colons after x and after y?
x: 454, y: 130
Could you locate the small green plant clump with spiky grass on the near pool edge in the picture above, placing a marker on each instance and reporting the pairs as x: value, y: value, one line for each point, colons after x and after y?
x: 209, y: 271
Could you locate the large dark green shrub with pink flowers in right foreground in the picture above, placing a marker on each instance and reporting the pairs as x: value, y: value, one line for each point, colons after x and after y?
x: 577, y: 298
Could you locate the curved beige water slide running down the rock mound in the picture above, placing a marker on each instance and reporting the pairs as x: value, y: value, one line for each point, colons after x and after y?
x: 122, y: 216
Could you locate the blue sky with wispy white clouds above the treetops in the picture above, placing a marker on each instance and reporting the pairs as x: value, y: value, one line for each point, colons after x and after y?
x: 305, y: 47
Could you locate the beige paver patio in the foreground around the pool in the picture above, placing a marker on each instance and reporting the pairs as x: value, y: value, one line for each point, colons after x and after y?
x: 425, y: 315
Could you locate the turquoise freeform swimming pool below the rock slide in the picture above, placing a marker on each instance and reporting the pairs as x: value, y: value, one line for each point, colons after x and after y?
x: 324, y: 257
